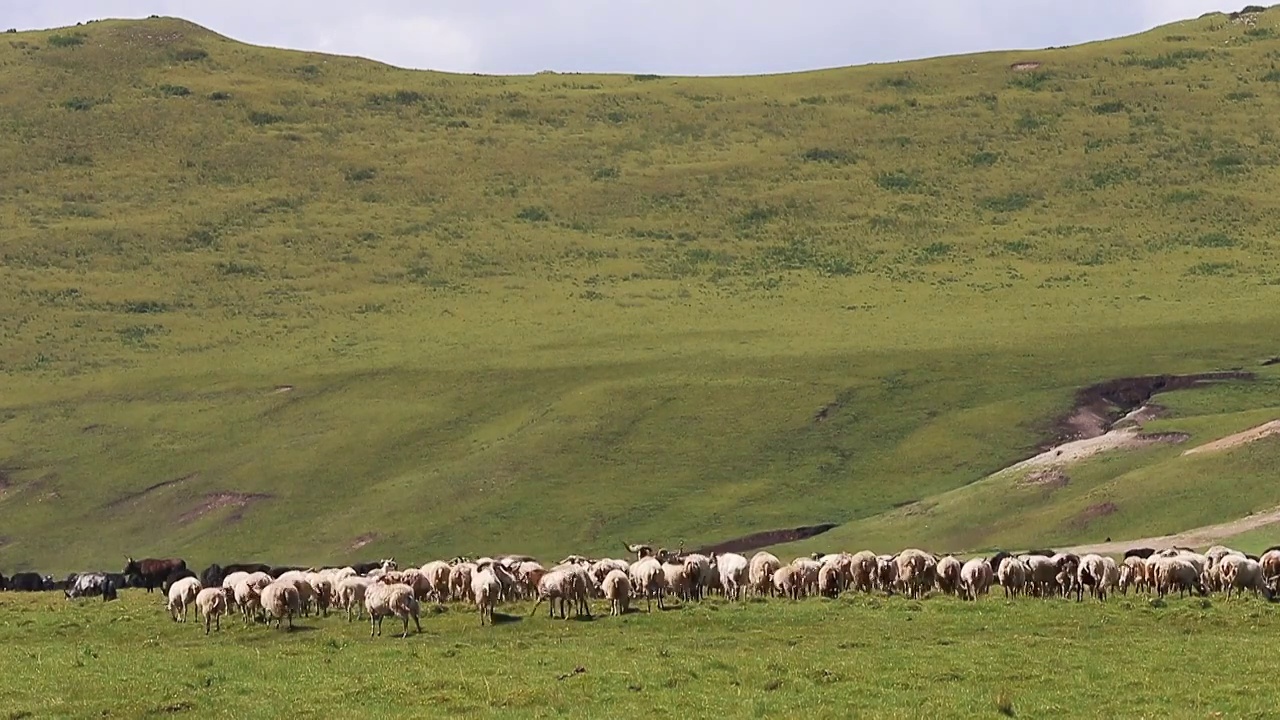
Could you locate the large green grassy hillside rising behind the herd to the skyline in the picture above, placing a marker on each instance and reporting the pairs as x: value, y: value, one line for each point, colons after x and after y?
x: 264, y: 304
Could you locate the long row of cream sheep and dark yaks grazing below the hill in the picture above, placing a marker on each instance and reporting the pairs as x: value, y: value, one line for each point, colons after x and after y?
x: 266, y: 594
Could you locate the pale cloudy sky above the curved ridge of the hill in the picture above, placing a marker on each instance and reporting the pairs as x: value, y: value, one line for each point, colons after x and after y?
x: 638, y: 37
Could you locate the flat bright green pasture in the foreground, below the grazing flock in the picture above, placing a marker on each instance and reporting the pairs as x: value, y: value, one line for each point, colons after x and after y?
x: 820, y: 658
